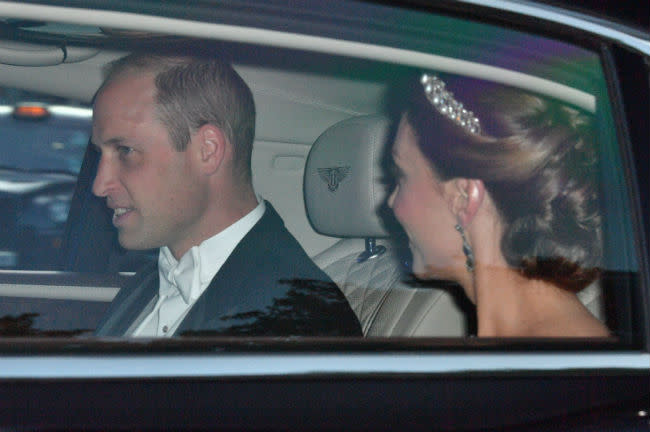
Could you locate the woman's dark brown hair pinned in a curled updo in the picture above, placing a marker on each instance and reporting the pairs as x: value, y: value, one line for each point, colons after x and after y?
x: 537, y: 160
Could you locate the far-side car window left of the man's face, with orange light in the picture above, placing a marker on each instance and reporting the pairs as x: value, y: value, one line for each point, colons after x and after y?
x: 41, y: 150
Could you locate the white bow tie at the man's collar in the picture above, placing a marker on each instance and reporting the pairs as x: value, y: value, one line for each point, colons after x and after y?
x: 183, y: 276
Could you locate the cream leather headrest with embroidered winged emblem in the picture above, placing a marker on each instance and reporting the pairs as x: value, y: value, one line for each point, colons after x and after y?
x: 344, y: 180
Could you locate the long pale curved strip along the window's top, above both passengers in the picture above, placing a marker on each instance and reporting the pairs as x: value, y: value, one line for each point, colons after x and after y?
x: 133, y: 21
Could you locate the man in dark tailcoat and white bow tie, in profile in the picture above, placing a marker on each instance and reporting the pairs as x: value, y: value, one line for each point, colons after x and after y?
x: 175, y: 137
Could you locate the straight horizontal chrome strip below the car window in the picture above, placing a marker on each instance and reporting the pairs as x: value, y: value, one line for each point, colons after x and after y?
x: 296, y: 365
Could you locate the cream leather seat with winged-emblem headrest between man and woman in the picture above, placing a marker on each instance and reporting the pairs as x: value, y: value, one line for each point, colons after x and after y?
x: 344, y: 188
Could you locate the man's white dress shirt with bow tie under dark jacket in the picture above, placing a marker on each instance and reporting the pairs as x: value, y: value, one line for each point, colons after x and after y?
x: 183, y: 281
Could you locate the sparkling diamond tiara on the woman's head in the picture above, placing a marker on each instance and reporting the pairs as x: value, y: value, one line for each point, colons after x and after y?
x: 445, y: 102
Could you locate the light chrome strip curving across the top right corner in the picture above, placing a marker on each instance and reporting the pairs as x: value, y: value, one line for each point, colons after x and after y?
x: 573, y: 19
